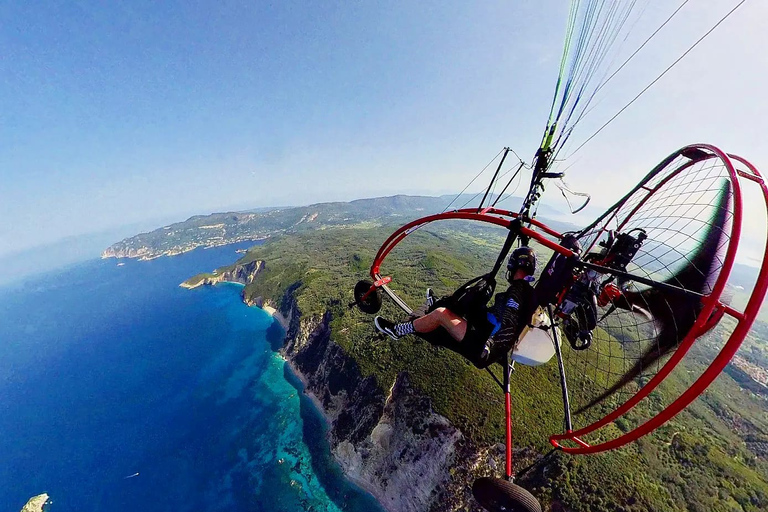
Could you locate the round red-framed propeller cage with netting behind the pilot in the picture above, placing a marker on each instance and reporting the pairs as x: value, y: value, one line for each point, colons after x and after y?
x: 690, y: 211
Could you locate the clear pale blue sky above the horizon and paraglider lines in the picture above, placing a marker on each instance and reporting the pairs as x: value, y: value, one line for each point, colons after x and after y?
x: 120, y: 113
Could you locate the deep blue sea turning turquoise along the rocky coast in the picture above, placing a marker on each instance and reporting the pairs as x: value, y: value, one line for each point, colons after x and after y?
x: 121, y: 391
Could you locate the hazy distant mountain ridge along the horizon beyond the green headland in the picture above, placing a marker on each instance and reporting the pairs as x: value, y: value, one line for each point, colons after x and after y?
x: 225, y: 228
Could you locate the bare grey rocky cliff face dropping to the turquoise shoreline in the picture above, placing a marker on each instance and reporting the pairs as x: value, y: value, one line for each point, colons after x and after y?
x: 392, y: 444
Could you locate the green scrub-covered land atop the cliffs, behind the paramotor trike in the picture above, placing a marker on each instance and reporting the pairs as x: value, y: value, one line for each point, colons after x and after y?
x: 711, y: 457
